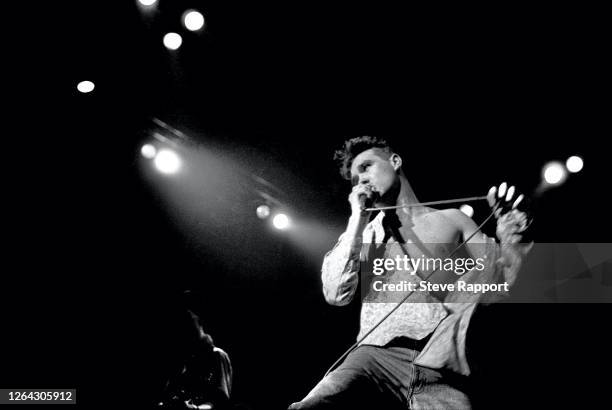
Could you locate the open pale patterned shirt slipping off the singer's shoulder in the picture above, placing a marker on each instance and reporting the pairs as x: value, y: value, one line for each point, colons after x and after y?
x: 422, y: 314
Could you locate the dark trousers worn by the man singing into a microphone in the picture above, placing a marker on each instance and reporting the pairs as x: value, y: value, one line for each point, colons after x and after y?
x: 374, y: 377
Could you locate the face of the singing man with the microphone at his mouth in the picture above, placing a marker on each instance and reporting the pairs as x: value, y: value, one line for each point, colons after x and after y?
x: 373, y: 167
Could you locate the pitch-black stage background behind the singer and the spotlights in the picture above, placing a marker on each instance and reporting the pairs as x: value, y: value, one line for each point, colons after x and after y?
x: 96, y: 260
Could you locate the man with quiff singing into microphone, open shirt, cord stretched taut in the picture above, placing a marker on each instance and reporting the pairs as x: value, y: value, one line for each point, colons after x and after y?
x: 416, y: 357
